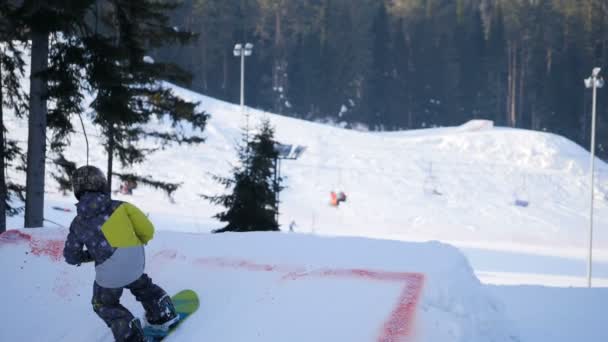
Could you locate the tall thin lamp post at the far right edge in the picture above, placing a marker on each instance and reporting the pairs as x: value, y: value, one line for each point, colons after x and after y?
x: 593, y: 82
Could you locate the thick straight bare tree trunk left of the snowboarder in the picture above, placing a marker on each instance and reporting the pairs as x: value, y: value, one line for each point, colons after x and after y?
x: 36, y: 147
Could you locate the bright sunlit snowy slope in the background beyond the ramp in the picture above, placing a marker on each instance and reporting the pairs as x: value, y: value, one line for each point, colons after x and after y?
x: 391, y: 179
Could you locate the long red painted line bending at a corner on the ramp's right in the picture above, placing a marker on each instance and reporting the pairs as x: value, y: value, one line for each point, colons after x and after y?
x: 397, y: 327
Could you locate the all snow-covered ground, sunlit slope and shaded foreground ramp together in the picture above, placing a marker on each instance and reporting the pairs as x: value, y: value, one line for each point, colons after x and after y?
x: 457, y: 185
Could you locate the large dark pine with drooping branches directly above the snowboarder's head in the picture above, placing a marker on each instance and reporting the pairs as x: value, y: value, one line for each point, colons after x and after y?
x: 128, y: 83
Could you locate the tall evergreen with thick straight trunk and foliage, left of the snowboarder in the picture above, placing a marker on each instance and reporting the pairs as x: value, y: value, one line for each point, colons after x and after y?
x: 47, y: 22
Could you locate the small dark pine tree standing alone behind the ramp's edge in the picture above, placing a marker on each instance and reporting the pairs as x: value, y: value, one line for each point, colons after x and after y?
x: 252, y: 205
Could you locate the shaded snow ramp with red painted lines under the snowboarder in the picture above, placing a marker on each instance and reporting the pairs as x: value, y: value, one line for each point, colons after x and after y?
x: 261, y: 287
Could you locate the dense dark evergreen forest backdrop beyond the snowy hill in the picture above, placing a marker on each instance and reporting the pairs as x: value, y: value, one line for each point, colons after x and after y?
x: 444, y: 62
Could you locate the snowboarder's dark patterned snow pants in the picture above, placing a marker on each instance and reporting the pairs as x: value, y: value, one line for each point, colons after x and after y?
x: 106, y: 303
